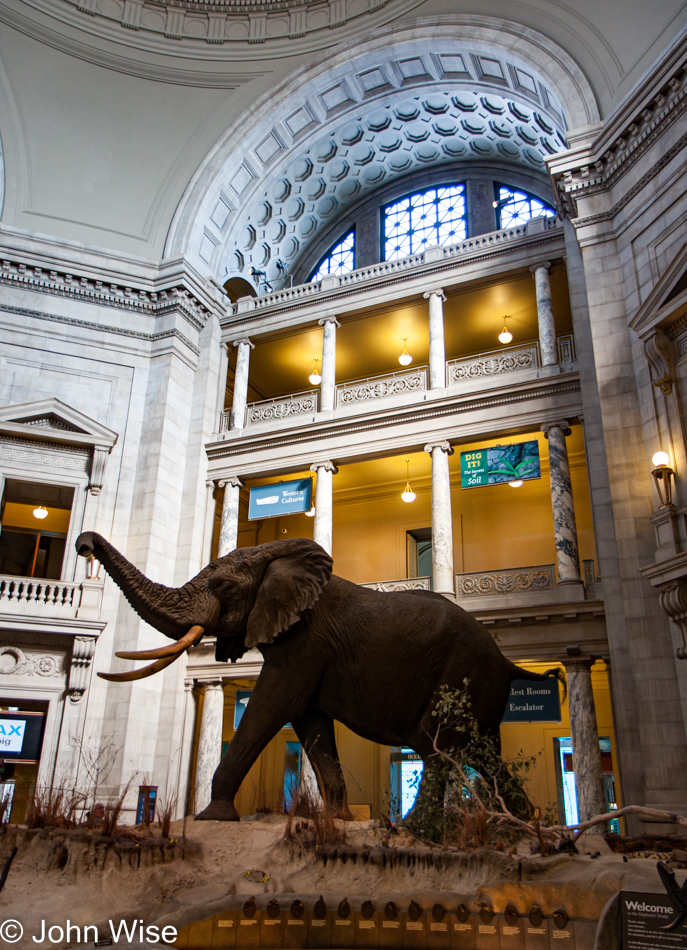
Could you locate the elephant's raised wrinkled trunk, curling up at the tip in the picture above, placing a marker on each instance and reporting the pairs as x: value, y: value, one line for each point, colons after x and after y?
x: 170, y: 610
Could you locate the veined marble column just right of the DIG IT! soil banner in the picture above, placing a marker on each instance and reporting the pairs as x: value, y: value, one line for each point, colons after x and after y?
x: 564, y: 527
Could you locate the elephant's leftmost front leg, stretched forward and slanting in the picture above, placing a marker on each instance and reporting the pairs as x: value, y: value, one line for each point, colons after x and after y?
x: 264, y: 716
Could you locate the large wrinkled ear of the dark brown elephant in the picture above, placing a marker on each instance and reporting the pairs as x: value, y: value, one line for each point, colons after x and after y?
x: 291, y: 584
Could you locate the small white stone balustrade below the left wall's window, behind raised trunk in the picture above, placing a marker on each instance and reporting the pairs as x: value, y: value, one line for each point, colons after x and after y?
x: 39, y: 597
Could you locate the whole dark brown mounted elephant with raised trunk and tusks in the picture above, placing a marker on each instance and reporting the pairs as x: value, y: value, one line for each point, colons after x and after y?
x: 332, y: 650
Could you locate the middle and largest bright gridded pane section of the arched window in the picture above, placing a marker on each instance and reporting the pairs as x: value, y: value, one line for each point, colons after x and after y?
x: 434, y: 216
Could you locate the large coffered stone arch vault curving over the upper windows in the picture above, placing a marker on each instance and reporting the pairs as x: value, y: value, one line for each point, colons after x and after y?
x: 453, y: 88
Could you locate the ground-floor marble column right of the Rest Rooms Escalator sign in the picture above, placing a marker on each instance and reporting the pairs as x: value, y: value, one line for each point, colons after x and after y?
x: 585, y: 739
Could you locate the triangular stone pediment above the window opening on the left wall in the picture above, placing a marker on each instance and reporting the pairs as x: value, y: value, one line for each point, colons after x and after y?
x: 51, y: 420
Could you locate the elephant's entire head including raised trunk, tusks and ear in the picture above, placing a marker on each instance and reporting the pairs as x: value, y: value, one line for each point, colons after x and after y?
x: 243, y: 599
